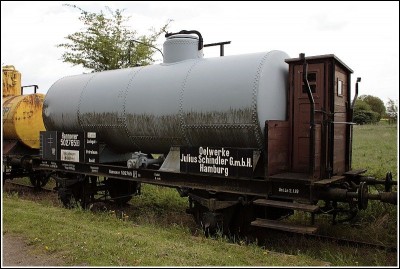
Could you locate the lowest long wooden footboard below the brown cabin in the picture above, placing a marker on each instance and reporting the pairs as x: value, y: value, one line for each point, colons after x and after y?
x: 284, y: 226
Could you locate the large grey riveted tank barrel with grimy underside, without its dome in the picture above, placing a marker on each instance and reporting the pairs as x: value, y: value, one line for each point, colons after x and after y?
x: 221, y: 102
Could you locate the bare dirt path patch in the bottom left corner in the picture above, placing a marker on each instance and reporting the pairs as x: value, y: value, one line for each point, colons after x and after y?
x: 16, y: 252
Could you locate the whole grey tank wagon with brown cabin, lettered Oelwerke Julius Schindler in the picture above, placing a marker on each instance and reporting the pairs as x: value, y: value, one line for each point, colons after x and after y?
x: 248, y: 138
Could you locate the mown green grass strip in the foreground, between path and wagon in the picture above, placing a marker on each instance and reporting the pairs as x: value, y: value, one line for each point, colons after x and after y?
x: 101, y: 239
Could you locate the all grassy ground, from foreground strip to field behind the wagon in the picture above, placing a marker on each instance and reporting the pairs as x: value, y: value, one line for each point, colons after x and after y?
x: 155, y: 231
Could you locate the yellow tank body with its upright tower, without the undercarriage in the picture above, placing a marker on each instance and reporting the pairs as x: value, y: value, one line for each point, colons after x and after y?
x: 22, y: 114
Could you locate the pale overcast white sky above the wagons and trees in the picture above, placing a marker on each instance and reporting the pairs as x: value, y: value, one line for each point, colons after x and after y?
x: 364, y: 35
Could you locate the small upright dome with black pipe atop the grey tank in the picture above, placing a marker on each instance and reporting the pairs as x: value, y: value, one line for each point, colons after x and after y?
x: 182, y: 46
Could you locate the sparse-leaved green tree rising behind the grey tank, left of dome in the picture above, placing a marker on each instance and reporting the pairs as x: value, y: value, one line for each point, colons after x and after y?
x: 106, y: 44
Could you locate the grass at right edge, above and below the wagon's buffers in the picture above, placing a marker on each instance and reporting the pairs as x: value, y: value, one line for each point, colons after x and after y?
x: 375, y: 148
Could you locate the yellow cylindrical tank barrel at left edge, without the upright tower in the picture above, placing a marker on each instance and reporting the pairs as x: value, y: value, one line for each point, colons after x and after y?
x: 22, y: 119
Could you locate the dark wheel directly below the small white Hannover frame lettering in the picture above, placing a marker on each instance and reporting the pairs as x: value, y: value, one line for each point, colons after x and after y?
x: 121, y: 191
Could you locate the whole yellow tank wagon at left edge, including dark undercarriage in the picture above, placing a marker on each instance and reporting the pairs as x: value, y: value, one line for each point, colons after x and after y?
x: 22, y: 123
